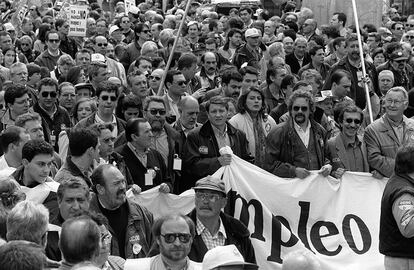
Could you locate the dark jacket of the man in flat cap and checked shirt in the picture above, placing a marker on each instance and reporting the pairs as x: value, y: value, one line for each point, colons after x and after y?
x: 237, y: 234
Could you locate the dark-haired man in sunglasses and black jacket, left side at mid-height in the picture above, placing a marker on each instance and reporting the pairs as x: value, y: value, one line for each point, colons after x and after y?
x: 55, y: 117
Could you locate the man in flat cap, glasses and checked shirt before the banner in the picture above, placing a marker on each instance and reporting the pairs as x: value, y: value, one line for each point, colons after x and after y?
x: 213, y: 227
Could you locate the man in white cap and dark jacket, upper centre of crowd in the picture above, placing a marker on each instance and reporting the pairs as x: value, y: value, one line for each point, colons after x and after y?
x: 250, y: 52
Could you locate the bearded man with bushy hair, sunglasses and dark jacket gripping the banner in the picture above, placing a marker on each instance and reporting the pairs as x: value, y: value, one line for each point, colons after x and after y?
x: 295, y: 147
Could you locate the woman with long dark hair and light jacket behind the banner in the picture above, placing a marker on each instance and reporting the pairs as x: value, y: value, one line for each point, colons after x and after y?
x: 253, y: 121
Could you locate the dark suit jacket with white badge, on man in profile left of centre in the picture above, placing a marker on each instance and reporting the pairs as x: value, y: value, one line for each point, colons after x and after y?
x: 138, y: 171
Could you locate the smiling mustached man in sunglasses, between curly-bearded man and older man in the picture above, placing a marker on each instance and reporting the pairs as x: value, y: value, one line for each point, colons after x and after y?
x: 346, y: 151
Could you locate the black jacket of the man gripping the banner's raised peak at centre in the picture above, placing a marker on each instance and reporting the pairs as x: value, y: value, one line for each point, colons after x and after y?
x: 201, y: 151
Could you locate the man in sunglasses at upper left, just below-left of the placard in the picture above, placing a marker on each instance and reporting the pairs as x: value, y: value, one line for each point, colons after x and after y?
x: 49, y: 57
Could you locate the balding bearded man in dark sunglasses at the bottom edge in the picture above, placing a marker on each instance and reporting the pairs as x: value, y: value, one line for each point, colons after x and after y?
x: 174, y: 235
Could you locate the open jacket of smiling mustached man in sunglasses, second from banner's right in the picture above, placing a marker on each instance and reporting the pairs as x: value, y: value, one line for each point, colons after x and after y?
x: 337, y: 155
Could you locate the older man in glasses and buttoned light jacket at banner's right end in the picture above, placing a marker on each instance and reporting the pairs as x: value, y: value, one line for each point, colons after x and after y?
x: 386, y: 134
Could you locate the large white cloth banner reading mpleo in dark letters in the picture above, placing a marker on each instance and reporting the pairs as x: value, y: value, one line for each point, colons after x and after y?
x: 337, y: 220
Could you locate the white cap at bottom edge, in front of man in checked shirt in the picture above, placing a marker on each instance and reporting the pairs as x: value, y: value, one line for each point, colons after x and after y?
x: 224, y: 256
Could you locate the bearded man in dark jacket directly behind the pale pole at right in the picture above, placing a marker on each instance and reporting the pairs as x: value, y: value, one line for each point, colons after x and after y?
x: 352, y: 64
